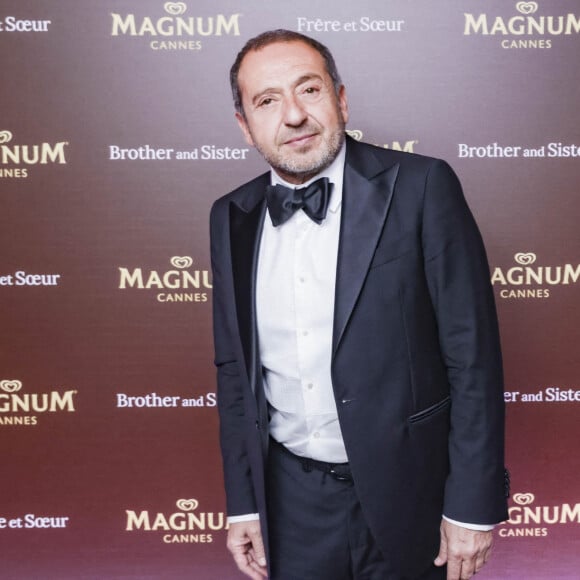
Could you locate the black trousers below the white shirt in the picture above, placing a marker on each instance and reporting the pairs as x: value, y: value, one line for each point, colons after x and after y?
x: 317, y: 530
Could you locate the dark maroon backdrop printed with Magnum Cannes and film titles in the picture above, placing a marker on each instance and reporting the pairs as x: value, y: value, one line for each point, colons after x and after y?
x: 116, y: 135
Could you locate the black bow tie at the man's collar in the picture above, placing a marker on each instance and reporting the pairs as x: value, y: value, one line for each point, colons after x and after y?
x: 284, y: 201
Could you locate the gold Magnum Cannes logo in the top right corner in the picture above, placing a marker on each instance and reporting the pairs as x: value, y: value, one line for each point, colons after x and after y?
x: 538, y: 29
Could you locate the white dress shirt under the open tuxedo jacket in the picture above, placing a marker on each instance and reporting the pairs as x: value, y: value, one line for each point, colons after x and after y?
x: 295, y: 311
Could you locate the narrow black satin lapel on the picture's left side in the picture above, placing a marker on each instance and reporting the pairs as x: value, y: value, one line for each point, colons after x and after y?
x: 246, y: 222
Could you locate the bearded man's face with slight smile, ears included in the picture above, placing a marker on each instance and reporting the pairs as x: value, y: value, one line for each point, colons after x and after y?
x: 292, y: 114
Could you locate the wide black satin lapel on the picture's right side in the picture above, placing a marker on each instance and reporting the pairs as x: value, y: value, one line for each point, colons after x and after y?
x: 365, y: 206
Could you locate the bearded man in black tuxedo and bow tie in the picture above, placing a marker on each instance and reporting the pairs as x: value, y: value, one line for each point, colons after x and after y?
x: 359, y: 370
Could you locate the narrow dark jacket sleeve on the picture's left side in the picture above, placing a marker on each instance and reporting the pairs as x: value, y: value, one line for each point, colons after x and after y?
x: 231, y: 380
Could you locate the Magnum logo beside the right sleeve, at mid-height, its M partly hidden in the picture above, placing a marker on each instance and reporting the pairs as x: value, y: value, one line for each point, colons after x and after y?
x: 526, y: 280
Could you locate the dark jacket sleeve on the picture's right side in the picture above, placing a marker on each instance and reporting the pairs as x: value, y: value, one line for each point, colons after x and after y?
x: 459, y: 284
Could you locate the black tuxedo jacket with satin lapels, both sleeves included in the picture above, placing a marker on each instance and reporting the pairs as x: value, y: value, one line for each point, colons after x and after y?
x: 416, y: 365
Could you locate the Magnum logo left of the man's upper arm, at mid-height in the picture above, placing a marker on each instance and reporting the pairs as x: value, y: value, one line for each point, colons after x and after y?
x: 190, y: 284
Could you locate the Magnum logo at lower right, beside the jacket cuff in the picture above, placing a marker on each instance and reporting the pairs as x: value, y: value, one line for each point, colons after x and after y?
x: 529, y: 520
